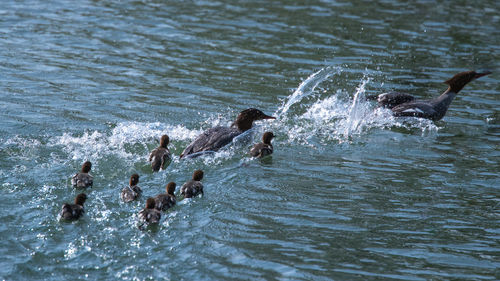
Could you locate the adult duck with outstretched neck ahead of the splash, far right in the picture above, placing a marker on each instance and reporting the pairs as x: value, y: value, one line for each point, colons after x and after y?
x: 403, y: 104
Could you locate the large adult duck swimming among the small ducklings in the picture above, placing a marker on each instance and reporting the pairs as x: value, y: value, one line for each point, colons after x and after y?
x: 215, y: 138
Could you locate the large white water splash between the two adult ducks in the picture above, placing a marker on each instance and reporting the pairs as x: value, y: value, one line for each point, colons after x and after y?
x: 340, y: 117
